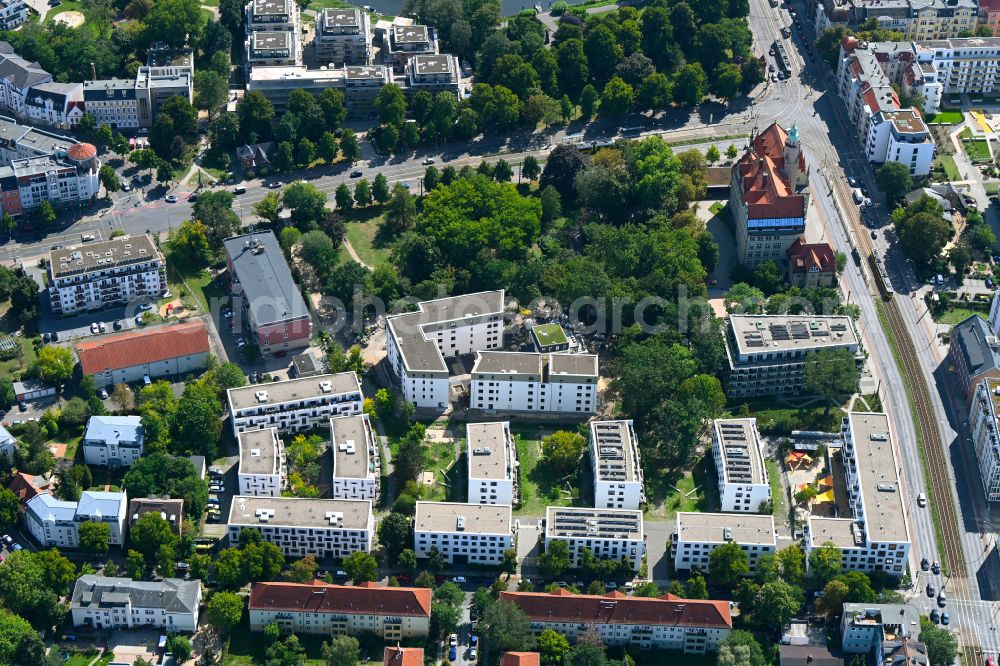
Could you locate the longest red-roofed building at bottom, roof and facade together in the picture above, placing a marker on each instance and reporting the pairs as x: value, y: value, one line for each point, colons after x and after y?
x: 667, y: 622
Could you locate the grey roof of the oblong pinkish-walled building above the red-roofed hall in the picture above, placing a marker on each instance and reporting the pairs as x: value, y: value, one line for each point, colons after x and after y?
x: 265, y: 278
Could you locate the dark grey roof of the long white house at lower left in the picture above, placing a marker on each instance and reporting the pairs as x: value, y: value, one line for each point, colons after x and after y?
x: 171, y: 594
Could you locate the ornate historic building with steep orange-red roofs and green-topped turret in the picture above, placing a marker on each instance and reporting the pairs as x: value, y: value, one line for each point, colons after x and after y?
x: 769, y: 196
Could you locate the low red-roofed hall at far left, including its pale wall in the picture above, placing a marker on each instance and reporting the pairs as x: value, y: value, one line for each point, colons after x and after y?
x: 166, y: 351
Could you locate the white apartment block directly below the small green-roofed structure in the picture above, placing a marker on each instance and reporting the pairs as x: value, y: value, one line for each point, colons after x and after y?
x: 529, y: 382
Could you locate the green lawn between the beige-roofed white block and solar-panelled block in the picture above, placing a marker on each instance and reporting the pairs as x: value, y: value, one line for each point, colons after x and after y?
x: 539, y: 486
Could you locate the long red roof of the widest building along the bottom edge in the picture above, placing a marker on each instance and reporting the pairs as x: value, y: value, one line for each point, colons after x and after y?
x: 666, y: 610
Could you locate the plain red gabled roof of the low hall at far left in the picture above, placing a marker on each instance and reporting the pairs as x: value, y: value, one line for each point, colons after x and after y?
x: 141, y: 347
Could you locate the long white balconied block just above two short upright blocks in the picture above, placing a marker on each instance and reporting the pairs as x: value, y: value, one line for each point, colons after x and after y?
x: 296, y: 404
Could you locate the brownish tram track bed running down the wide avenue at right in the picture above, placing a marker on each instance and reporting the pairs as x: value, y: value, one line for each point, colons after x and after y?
x: 936, y: 464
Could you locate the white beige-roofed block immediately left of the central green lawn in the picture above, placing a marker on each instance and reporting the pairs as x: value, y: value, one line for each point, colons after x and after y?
x: 492, y: 459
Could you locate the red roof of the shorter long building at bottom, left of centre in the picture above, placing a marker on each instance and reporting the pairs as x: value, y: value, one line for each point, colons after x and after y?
x: 320, y: 597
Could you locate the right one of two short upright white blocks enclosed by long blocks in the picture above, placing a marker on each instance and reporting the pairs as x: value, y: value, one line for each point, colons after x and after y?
x: 356, y: 462
